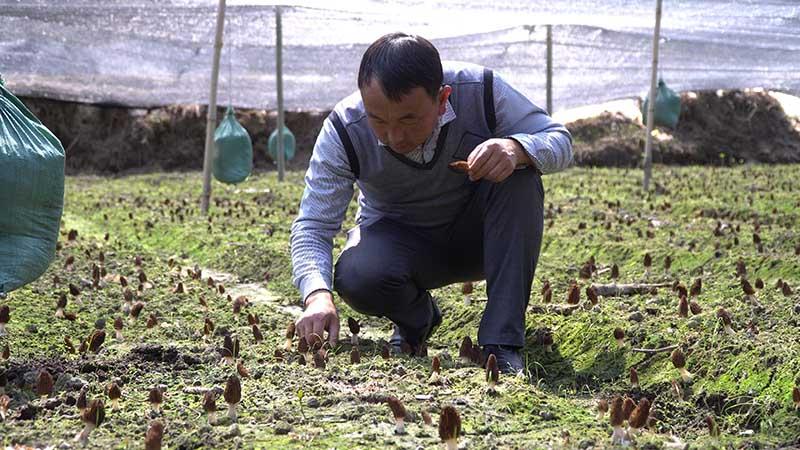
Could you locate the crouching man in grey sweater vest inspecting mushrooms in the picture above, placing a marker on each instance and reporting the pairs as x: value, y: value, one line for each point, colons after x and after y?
x: 422, y: 223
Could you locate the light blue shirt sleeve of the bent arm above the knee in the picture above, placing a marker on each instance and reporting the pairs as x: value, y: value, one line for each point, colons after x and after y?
x: 547, y: 142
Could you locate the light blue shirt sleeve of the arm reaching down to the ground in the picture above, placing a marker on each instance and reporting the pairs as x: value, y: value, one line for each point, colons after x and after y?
x: 329, y: 189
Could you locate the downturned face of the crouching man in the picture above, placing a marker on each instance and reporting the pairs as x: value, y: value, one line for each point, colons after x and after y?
x: 406, y: 124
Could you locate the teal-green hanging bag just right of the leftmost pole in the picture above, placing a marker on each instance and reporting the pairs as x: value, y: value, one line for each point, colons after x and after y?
x: 233, y: 157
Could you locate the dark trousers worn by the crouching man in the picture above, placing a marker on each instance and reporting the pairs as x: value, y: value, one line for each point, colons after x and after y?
x: 387, y: 268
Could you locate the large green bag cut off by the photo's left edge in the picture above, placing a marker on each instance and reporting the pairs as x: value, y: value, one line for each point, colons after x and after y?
x: 31, y: 193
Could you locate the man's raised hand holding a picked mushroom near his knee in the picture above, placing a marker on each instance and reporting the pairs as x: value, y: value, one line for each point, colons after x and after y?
x: 496, y: 159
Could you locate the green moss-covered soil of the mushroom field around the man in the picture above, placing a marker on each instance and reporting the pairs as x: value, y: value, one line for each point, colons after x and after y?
x: 704, y: 219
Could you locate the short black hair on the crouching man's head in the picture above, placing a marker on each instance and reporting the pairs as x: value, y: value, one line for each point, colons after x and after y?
x: 401, y: 62
